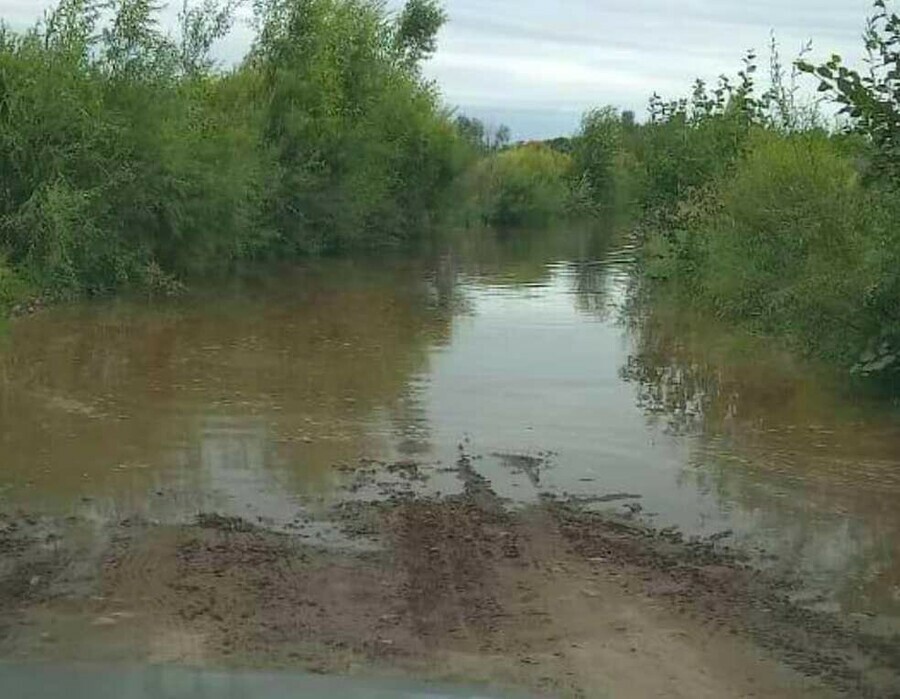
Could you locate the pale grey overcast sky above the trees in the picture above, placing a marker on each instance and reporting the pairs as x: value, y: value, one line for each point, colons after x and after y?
x: 536, y: 65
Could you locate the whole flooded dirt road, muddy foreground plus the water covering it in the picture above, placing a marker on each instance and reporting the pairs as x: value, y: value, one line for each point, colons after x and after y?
x: 481, y: 463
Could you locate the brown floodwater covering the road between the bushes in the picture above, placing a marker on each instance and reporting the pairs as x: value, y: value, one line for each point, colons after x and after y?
x: 258, y: 397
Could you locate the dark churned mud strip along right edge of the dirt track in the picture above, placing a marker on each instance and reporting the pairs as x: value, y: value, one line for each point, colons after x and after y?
x: 699, y: 579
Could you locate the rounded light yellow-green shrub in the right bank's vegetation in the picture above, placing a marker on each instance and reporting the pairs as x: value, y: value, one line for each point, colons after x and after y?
x: 785, y: 246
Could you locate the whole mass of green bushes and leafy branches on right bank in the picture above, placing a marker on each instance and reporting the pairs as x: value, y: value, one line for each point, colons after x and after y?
x: 754, y: 207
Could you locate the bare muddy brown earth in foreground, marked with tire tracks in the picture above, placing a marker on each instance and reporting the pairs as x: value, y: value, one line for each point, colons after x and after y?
x: 552, y: 599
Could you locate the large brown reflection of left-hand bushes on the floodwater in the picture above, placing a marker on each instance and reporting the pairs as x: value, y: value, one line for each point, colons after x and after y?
x: 314, y: 353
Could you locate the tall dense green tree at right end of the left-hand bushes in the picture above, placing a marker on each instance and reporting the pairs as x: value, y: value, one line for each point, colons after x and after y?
x: 360, y: 148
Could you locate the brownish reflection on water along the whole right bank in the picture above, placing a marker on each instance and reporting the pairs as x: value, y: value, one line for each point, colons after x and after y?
x: 813, y: 476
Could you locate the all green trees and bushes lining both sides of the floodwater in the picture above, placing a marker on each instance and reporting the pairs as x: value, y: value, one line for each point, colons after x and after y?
x: 130, y: 159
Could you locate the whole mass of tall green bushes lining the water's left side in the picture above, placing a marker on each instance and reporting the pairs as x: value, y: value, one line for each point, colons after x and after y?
x: 127, y: 159
